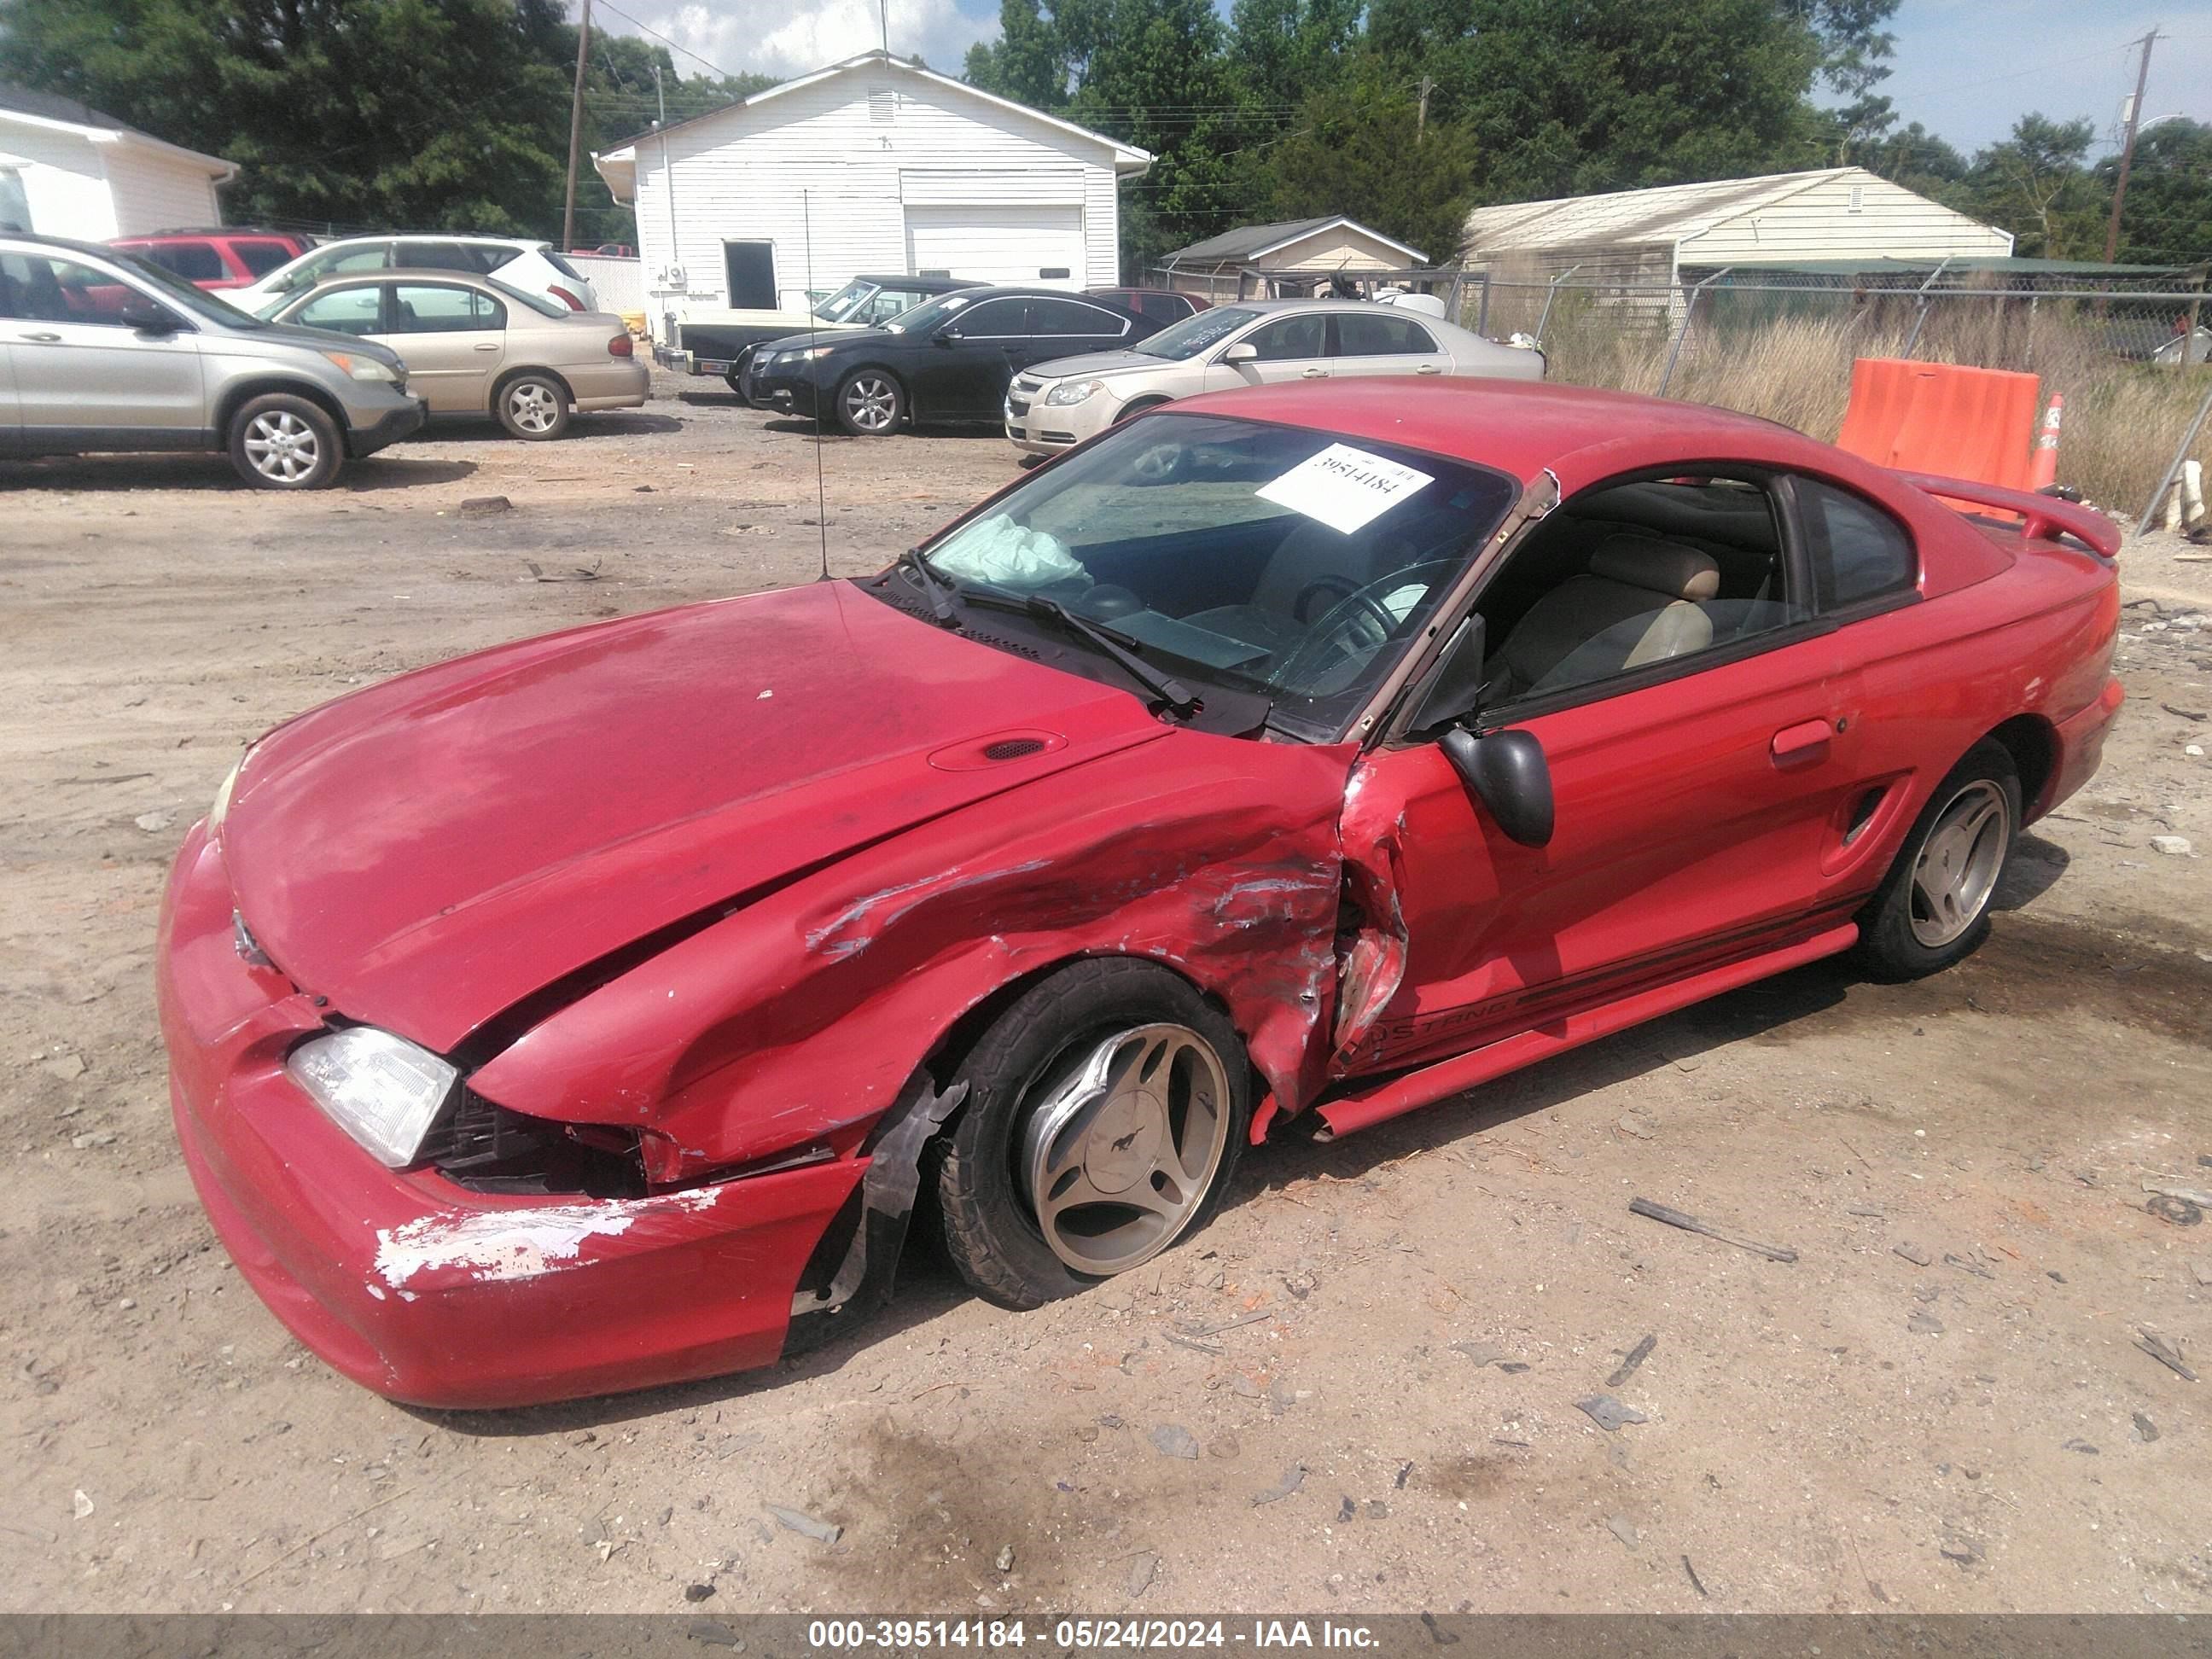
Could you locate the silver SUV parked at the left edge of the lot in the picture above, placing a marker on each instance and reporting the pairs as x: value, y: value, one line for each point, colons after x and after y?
x: 103, y: 353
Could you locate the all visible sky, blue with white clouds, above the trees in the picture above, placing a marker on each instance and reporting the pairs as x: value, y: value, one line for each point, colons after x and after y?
x: 1963, y: 67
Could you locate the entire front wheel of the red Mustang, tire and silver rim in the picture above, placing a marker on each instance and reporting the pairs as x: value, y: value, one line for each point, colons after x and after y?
x: 1103, y: 1123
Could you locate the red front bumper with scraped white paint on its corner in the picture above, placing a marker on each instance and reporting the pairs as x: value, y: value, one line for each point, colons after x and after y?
x: 419, y: 1288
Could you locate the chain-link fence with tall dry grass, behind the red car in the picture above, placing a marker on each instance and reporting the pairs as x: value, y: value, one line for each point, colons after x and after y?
x: 2127, y: 353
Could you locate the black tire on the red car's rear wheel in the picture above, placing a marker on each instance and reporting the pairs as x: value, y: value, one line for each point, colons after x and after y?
x: 1901, y: 935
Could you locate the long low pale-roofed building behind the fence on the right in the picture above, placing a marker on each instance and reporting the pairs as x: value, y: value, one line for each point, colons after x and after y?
x: 1777, y: 220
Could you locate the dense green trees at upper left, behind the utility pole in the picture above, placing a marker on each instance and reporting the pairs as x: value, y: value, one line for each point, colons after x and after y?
x: 359, y: 114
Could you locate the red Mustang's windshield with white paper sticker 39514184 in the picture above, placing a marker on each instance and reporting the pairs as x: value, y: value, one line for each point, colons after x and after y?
x: 1277, y: 561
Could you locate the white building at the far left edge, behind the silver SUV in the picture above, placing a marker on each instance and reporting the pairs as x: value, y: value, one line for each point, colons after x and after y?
x: 72, y: 171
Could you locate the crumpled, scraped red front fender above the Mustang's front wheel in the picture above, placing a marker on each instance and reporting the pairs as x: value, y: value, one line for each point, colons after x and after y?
x: 800, y: 1021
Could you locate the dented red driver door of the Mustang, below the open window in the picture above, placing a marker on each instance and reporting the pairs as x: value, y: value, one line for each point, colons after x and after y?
x: 1693, y: 806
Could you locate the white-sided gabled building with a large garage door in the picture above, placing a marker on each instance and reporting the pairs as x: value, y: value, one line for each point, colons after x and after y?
x: 868, y: 167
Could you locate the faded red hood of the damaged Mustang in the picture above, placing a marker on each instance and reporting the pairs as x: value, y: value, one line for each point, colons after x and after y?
x: 437, y: 848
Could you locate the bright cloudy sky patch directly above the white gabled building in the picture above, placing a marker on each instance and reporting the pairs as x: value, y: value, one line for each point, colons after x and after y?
x: 795, y: 36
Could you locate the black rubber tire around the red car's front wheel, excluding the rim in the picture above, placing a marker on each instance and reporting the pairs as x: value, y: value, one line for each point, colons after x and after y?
x: 992, y: 1229
